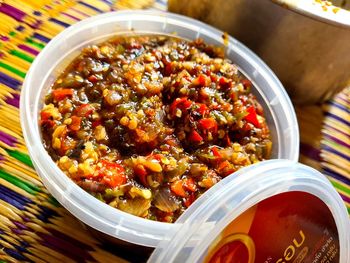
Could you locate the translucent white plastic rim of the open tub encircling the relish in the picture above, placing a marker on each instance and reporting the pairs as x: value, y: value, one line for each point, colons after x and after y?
x: 62, y: 49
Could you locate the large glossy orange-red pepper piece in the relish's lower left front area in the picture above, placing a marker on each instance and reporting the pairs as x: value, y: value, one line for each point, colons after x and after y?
x: 111, y: 174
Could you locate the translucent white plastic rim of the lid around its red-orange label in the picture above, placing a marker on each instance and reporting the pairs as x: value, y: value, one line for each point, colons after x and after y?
x: 225, y: 201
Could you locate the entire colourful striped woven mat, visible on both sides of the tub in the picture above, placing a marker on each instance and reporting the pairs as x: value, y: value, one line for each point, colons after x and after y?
x: 33, y: 226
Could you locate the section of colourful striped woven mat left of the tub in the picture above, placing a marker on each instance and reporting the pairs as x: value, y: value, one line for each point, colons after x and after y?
x: 33, y: 226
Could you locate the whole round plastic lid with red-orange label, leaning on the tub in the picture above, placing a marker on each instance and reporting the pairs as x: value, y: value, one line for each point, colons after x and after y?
x: 274, y: 211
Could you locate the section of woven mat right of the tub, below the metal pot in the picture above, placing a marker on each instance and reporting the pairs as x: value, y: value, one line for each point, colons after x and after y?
x: 325, y: 140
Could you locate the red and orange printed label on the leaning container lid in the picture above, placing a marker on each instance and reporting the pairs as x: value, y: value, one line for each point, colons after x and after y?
x: 291, y: 227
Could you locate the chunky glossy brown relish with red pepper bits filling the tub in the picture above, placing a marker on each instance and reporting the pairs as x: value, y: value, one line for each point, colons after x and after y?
x: 147, y: 124
